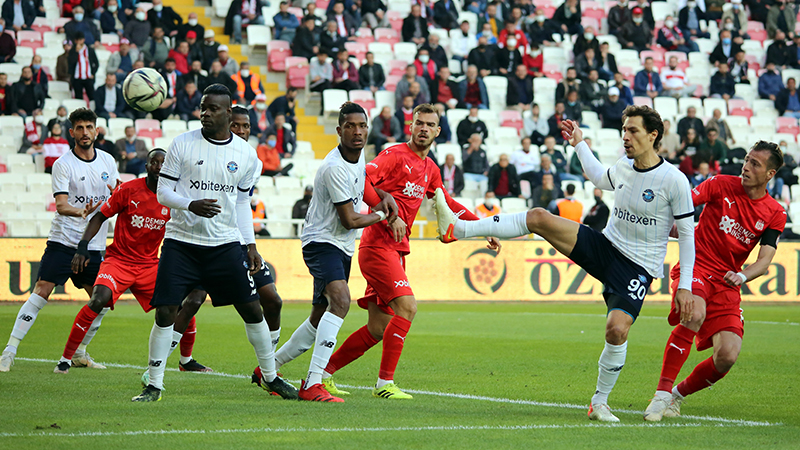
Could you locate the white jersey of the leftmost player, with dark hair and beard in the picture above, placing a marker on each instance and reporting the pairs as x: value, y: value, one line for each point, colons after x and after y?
x: 82, y: 180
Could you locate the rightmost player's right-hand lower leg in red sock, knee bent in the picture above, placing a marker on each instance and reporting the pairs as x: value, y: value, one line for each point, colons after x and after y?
x: 727, y: 346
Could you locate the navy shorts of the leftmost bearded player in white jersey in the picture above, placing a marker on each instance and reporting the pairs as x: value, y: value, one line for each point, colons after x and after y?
x: 56, y: 266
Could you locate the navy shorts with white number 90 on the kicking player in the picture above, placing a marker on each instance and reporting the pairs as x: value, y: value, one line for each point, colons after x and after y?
x: 625, y: 282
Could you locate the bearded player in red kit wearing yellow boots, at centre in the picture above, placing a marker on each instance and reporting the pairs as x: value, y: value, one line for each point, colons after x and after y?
x: 405, y: 172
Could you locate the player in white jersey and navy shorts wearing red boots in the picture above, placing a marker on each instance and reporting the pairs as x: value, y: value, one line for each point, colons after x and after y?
x: 328, y: 241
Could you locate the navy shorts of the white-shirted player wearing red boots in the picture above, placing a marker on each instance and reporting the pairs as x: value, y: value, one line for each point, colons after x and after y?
x: 326, y: 263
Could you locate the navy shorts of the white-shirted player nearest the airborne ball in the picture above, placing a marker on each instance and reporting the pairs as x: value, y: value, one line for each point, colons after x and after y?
x: 220, y: 271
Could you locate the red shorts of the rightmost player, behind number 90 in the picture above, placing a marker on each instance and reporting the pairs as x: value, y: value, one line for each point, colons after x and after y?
x: 723, y: 310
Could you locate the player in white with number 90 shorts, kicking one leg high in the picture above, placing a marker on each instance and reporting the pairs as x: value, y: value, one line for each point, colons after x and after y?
x: 651, y: 195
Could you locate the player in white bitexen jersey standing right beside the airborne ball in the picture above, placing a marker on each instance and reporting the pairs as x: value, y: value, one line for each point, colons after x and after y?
x: 207, y: 180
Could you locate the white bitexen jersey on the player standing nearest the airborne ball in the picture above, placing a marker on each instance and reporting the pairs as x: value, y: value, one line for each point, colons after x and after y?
x: 206, y: 169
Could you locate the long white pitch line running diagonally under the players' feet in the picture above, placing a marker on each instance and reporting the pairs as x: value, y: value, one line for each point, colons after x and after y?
x: 721, y: 420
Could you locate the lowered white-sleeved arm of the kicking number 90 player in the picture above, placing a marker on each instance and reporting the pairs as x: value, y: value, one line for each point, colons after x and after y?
x: 683, y: 211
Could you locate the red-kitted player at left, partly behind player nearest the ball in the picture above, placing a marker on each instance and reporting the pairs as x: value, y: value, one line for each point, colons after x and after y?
x: 131, y: 261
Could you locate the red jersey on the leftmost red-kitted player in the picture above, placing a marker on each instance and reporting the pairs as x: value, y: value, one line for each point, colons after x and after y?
x: 140, y: 223
